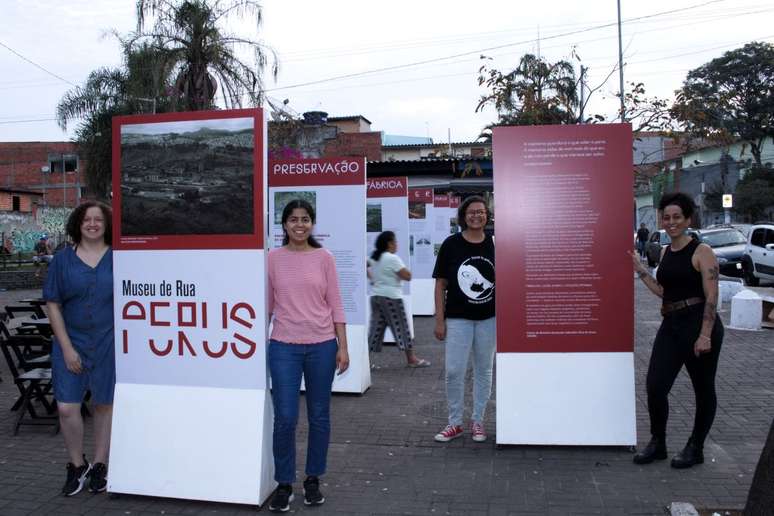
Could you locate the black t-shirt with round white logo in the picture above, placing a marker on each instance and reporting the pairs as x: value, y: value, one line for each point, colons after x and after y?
x: 468, y: 269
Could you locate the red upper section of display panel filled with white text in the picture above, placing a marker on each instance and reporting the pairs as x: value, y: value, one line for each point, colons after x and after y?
x: 564, y: 225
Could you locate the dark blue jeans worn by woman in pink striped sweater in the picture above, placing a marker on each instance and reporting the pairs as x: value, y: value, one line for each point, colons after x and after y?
x: 287, y: 364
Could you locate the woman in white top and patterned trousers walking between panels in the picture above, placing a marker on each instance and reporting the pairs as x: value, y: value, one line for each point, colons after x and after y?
x: 386, y: 271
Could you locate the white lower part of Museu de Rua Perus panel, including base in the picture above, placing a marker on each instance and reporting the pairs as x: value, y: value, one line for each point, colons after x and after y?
x: 191, y: 376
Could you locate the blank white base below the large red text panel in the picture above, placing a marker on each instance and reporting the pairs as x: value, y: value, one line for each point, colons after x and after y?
x: 566, y: 399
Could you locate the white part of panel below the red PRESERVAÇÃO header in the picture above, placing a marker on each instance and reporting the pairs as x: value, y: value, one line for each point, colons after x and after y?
x: 340, y: 228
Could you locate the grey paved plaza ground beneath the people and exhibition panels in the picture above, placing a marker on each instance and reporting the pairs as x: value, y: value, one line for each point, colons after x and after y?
x: 383, y: 459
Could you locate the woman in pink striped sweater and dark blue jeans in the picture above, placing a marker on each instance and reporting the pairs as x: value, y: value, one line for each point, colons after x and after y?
x: 308, y: 339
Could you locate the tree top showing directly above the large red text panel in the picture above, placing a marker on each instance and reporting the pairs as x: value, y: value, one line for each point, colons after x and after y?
x: 537, y: 92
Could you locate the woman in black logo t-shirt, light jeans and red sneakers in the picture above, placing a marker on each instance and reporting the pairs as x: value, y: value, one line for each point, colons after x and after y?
x: 465, y: 315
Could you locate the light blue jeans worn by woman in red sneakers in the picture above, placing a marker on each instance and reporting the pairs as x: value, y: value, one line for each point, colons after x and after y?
x: 462, y: 335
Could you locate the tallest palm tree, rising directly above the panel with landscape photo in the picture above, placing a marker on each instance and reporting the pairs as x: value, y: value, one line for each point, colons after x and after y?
x: 201, y: 55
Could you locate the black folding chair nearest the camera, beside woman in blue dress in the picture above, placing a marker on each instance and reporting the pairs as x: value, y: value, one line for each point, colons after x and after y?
x: 34, y: 384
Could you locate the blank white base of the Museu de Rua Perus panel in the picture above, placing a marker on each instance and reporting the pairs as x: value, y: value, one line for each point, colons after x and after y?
x: 173, y: 442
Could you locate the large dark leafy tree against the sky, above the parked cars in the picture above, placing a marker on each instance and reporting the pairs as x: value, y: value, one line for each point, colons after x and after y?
x: 731, y: 97
